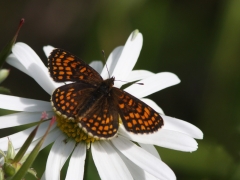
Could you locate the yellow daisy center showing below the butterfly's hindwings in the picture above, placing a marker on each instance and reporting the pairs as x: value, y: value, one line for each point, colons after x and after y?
x: 72, y: 130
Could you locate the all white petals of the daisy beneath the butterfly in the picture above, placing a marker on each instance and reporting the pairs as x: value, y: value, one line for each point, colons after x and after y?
x: 118, y: 158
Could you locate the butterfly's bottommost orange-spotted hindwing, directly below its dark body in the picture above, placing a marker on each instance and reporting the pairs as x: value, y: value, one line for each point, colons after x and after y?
x: 102, y: 120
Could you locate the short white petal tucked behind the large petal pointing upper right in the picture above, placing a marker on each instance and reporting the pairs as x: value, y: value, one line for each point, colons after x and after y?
x: 136, y: 75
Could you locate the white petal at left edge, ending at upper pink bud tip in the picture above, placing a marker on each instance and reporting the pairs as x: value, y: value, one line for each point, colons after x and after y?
x: 21, y: 118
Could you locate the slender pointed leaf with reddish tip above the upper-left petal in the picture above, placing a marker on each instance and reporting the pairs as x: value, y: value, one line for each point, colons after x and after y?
x: 7, y: 49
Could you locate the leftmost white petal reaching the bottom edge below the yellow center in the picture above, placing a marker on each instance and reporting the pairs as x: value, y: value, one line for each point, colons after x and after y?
x: 58, y: 155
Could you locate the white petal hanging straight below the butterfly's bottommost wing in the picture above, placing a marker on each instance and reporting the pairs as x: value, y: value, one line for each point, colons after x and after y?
x: 105, y: 159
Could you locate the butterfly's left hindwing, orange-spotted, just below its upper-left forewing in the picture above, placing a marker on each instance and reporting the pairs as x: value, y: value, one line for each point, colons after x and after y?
x: 68, y: 99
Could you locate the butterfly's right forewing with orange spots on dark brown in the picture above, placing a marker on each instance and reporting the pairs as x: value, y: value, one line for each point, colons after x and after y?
x: 136, y: 116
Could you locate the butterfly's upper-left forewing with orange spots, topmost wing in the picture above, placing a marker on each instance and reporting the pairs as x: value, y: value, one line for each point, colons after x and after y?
x: 64, y: 66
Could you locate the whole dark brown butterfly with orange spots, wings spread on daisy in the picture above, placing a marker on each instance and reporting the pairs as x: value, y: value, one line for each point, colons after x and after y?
x: 95, y: 104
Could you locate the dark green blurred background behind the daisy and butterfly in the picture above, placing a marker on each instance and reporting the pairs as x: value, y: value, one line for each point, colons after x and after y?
x: 197, y: 40
